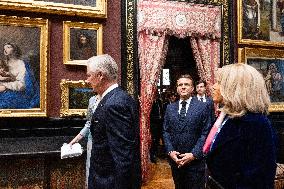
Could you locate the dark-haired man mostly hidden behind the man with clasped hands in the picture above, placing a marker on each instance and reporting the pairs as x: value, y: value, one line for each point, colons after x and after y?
x: 201, y: 96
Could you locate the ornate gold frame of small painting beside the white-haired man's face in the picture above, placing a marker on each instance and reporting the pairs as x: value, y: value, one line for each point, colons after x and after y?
x: 66, y: 85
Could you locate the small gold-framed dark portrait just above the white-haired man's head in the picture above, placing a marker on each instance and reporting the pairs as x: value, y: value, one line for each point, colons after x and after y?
x: 81, y: 41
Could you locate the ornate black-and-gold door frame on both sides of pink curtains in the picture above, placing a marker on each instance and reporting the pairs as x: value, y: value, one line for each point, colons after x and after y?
x: 129, y: 47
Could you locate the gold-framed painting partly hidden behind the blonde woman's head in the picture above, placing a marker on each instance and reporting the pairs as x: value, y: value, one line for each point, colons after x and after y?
x: 269, y: 62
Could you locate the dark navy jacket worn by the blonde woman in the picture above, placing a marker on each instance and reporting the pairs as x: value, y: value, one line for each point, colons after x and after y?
x: 243, y: 154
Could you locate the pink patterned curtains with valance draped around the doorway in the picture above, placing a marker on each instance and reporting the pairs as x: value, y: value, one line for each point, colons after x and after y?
x: 202, y: 23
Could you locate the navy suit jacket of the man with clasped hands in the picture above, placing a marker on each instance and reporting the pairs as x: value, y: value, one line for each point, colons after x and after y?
x: 188, y: 135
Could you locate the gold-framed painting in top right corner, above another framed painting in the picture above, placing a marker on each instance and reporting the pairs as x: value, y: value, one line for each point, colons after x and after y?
x: 259, y: 23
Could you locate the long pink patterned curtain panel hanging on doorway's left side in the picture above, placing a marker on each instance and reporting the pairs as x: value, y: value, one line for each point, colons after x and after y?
x: 152, y: 52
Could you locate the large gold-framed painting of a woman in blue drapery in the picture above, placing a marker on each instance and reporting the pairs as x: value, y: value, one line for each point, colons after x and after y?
x: 28, y: 39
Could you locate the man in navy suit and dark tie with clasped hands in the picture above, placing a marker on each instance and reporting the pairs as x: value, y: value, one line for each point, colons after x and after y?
x: 186, y: 125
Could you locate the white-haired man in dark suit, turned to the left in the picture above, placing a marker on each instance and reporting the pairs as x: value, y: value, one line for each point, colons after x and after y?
x: 115, y: 155
